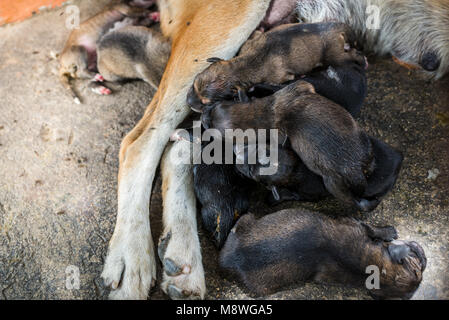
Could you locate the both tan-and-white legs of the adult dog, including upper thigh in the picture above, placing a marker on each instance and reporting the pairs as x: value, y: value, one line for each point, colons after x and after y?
x: 199, y: 29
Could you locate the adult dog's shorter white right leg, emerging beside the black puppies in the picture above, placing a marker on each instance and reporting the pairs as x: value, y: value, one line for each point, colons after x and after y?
x: 179, y: 246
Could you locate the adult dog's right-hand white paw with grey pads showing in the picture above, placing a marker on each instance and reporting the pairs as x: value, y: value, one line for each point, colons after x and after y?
x: 183, y: 275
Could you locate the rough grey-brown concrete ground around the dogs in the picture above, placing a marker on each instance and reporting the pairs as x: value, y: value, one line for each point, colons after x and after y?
x: 58, y: 167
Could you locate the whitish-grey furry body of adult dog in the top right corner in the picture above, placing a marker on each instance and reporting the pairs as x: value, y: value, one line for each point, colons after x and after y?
x: 414, y: 31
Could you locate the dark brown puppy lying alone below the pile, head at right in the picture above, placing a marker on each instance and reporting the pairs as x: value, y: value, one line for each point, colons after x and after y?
x: 297, y: 245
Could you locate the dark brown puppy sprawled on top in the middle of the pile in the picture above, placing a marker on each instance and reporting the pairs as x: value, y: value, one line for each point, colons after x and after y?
x: 322, y: 134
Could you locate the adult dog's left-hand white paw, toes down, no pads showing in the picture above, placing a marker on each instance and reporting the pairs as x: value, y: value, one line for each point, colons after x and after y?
x: 130, y: 268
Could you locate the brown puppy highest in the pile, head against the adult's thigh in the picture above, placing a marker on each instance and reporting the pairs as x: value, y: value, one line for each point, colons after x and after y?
x: 275, y: 57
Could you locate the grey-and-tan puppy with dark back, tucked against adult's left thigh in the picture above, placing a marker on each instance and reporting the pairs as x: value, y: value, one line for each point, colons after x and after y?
x: 133, y: 52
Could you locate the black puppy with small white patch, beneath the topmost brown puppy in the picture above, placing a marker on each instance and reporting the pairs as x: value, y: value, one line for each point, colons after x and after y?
x: 346, y: 85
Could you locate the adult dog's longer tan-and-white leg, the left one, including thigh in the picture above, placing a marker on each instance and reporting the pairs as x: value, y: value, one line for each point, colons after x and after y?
x: 213, y: 28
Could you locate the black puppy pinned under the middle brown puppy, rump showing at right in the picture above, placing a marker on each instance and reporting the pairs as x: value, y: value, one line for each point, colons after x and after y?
x: 293, y: 181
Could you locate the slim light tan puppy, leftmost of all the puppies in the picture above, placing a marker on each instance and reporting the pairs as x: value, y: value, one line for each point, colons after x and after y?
x: 78, y: 59
